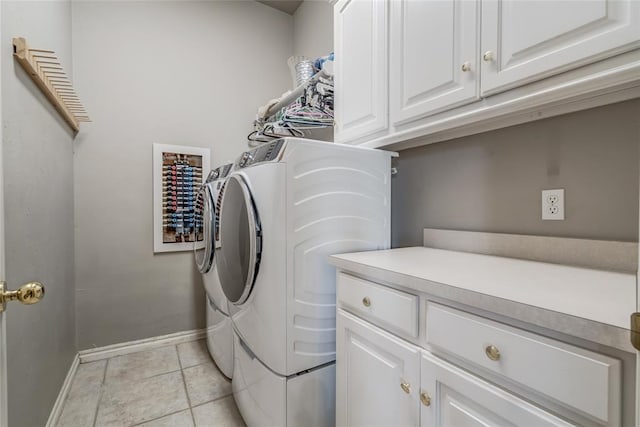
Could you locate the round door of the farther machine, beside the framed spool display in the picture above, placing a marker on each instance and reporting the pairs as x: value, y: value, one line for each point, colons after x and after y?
x: 205, y: 215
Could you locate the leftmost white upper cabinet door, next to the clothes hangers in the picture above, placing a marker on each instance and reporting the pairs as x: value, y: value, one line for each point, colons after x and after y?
x: 360, y: 68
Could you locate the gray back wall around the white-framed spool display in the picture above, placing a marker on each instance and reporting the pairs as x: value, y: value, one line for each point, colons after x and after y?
x: 191, y: 73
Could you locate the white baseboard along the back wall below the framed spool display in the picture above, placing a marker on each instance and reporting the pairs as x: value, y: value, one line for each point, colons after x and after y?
x: 100, y: 353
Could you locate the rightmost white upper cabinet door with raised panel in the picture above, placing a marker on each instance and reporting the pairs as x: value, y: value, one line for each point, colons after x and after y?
x: 532, y: 39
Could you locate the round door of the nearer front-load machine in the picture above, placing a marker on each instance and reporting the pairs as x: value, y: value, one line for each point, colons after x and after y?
x: 238, y: 256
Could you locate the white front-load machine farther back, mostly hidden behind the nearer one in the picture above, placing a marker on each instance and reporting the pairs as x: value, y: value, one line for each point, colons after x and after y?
x: 219, y: 328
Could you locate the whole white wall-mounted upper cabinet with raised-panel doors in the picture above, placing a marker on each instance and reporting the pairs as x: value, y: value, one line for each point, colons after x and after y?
x: 410, y: 72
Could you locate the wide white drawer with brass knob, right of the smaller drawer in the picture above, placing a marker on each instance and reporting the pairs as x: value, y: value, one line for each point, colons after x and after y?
x: 585, y: 381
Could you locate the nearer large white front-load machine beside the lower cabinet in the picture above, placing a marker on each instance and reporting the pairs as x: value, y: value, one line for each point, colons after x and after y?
x: 287, y: 206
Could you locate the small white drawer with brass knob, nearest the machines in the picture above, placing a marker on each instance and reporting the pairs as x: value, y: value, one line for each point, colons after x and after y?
x: 396, y: 309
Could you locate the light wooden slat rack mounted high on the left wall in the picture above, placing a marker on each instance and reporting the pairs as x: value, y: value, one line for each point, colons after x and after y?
x: 43, y: 66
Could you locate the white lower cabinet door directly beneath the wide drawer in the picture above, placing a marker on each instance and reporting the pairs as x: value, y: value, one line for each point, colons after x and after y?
x: 453, y: 397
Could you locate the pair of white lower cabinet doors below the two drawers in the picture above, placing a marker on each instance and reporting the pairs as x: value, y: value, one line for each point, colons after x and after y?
x: 384, y: 381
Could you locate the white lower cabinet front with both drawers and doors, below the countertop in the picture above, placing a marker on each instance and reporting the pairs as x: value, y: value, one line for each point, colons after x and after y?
x: 483, y: 373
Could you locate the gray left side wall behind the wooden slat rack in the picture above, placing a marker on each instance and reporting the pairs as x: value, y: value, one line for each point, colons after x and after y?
x: 38, y: 189
